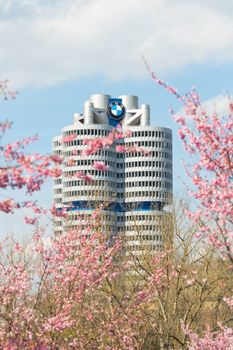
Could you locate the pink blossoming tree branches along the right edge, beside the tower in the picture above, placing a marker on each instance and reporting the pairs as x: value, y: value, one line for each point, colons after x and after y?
x: 208, y: 138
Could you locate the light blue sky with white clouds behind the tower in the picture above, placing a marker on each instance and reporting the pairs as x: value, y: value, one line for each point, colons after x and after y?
x: 58, y: 52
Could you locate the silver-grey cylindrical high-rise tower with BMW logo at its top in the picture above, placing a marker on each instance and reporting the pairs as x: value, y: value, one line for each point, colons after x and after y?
x: 135, y: 187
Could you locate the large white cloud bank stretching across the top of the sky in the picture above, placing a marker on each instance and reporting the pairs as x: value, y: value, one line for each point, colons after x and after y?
x: 45, y: 42
